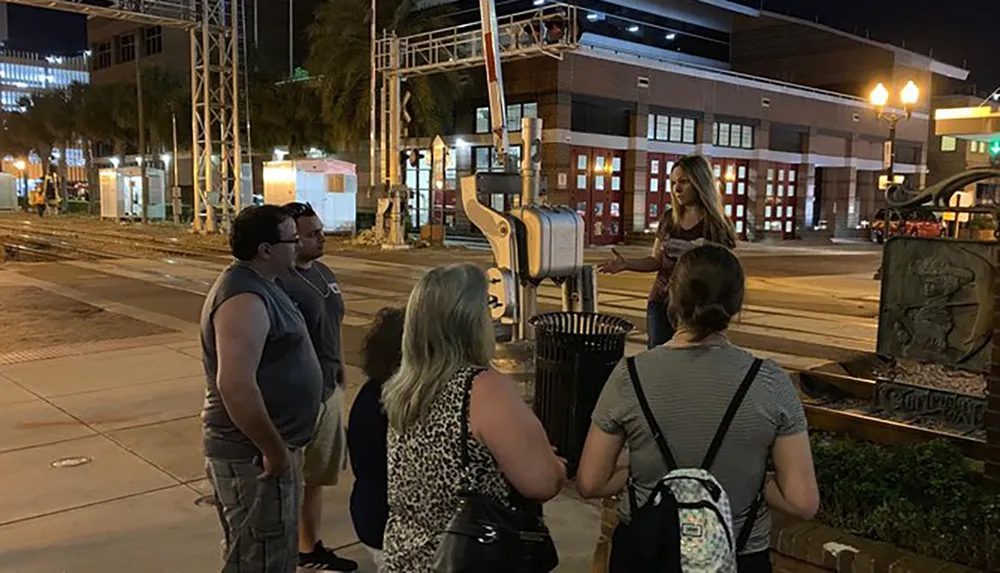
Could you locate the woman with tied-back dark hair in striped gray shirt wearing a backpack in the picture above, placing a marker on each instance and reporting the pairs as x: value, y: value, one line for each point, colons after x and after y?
x: 688, y: 384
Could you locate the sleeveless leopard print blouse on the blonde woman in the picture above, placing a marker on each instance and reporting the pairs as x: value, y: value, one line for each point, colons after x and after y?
x: 426, y: 474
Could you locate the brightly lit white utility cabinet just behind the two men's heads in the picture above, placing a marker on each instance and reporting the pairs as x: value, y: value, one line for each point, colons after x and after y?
x: 329, y: 185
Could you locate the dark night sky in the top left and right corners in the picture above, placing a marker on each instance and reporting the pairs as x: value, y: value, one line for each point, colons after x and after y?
x: 959, y: 31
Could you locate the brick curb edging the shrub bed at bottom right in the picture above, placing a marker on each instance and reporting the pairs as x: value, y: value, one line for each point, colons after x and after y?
x: 835, y: 550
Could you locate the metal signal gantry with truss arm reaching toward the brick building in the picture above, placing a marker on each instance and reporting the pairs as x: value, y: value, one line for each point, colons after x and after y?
x: 549, y: 30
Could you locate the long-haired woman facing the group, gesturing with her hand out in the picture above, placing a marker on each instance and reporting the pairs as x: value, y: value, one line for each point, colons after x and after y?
x: 695, y: 216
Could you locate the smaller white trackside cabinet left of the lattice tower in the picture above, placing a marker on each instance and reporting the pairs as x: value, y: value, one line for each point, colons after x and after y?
x: 121, y: 193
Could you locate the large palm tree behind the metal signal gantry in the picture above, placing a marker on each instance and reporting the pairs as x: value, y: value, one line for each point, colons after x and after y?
x: 340, y: 54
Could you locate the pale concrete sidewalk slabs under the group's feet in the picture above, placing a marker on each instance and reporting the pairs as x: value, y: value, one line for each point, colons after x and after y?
x: 100, y: 449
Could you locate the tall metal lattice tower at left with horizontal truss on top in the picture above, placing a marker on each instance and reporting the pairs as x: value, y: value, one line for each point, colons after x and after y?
x: 217, y: 91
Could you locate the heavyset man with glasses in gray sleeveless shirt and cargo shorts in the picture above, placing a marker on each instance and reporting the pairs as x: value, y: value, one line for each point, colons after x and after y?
x: 264, y: 390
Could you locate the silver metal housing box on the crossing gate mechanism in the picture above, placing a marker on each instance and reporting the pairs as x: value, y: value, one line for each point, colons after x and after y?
x: 553, y: 240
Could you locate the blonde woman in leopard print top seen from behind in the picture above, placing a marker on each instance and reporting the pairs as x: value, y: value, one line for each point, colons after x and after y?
x: 444, y: 378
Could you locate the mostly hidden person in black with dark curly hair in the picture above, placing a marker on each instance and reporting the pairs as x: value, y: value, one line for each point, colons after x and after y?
x: 367, y: 428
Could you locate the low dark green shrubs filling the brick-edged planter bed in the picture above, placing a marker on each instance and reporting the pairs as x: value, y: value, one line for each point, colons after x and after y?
x: 920, y: 497
